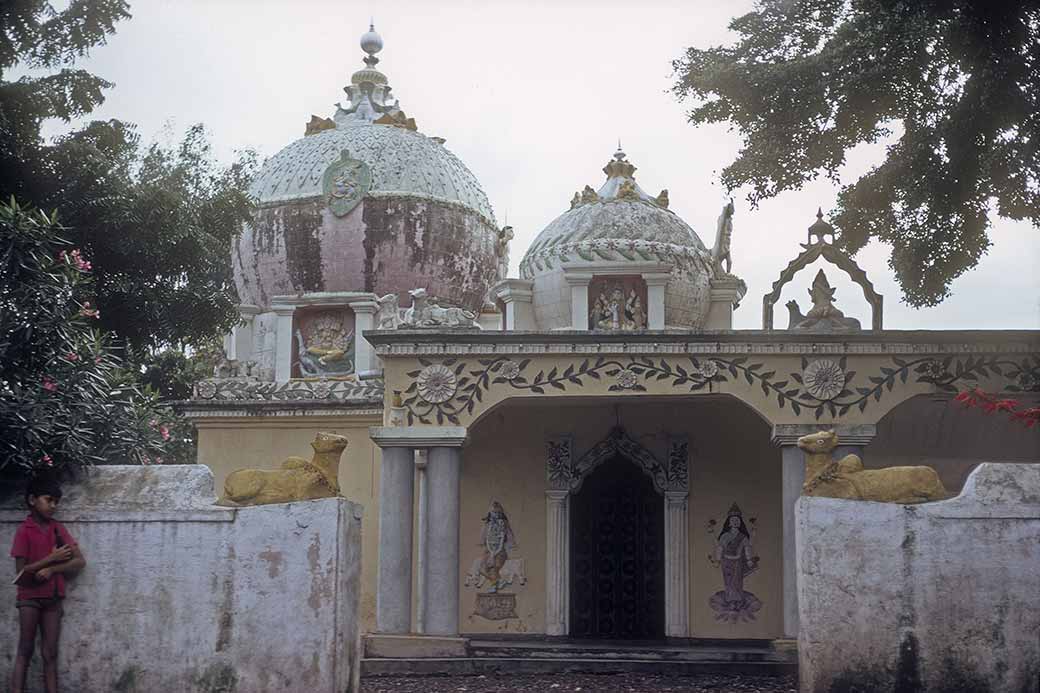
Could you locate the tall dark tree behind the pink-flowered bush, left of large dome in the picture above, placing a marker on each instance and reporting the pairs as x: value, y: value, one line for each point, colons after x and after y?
x: 158, y: 222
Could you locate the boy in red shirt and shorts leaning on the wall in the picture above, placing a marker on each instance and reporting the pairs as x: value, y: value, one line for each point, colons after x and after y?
x: 43, y: 551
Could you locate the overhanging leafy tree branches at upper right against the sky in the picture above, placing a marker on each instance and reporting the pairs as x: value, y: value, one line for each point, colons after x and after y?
x: 957, y: 81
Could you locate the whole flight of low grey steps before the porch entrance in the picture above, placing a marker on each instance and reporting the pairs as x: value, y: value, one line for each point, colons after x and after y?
x: 404, y: 656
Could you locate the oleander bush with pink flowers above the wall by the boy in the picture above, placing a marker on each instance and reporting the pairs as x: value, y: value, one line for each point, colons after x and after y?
x: 66, y: 401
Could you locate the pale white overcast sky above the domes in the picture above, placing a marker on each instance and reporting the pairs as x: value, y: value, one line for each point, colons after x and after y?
x: 533, y: 97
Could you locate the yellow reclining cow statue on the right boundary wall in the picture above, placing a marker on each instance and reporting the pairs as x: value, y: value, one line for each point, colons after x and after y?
x: 847, y: 479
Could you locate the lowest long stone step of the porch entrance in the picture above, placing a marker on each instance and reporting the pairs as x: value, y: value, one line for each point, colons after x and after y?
x: 541, y: 665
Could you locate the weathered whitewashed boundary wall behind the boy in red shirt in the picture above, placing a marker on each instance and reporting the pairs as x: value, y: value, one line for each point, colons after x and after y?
x: 180, y: 596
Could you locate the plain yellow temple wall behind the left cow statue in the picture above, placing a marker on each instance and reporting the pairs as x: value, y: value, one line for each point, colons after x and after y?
x: 232, y: 444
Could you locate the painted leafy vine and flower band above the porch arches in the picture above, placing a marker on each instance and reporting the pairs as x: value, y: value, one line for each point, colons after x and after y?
x: 463, y: 387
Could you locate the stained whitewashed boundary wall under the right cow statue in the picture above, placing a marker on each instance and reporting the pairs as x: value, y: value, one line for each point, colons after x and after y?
x: 941, y: 597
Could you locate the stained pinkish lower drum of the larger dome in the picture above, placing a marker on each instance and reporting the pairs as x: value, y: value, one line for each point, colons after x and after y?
x: 385, y: 245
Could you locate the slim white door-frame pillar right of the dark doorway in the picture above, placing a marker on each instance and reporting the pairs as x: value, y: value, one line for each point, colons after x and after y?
x: 677, y: 564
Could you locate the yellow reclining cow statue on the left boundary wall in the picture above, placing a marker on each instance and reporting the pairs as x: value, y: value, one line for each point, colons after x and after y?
x: 297, y: 479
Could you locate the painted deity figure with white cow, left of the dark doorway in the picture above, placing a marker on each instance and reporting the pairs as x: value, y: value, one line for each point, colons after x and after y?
x: 496, y: 572
